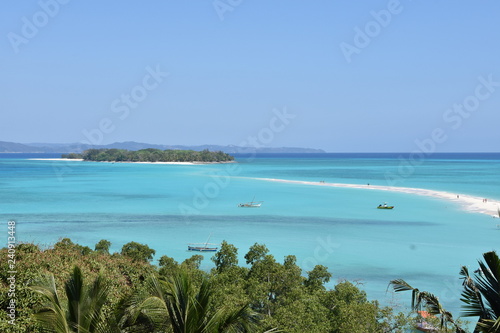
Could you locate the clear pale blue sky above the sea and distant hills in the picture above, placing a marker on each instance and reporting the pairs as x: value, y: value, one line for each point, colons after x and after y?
x: 371, y: 76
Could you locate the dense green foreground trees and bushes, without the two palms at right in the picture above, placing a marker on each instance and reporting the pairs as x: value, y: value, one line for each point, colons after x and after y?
x: 268, y: 295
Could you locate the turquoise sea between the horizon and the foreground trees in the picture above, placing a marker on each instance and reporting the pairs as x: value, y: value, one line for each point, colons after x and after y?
x: 423, y: 240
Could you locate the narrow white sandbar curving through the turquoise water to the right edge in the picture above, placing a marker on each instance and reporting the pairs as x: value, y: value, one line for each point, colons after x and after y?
x: 470, y: 203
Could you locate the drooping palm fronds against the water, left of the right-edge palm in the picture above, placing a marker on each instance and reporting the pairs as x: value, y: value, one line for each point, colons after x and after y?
x: 423, y: 300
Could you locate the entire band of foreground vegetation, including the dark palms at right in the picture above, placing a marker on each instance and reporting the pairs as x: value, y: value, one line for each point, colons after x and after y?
x: 68, y: 287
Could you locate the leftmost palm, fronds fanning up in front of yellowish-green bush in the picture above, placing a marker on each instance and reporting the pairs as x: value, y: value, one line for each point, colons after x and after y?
x: 81, y: 312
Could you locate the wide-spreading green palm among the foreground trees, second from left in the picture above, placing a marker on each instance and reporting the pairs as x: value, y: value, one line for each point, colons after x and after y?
x: 186, y: 309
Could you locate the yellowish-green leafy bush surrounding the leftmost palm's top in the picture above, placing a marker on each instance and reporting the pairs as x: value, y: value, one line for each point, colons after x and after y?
x: 122, y: 274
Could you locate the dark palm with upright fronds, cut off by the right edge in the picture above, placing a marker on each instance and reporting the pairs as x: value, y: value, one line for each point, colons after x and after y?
x: 481, y: 293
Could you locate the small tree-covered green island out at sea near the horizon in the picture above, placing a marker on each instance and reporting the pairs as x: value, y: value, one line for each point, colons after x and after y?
x: 151, y: 155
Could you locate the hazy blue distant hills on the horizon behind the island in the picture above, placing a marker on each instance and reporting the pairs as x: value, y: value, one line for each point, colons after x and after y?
x: 12, y: 147
